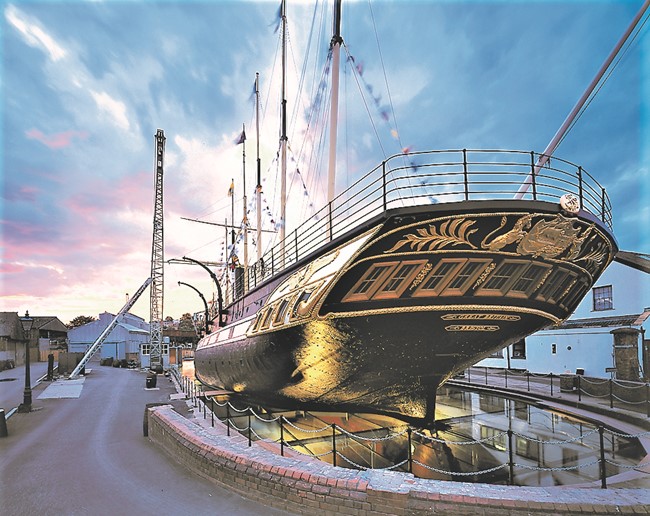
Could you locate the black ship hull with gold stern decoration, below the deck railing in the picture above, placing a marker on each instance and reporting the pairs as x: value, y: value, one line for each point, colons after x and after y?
x: 377, y: 321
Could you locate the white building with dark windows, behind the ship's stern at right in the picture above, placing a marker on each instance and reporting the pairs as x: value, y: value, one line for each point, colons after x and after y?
x: 605, y: 337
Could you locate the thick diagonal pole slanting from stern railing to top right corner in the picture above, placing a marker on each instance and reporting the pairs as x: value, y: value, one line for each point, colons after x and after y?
x: 561, y: 132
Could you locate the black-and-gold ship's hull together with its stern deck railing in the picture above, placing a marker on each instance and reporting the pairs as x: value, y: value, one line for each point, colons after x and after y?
x: 407, y: 278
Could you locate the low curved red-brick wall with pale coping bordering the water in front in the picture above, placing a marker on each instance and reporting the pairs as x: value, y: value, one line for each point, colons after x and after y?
x: 306, y: 487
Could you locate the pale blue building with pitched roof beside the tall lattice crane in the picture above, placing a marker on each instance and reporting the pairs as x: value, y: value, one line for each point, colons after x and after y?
x: 128, y: 340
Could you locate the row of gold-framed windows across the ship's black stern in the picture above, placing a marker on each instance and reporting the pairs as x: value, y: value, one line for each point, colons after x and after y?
x: 523, y: 279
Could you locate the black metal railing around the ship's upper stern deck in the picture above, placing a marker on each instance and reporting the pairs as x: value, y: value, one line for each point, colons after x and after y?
x: 431, y: 177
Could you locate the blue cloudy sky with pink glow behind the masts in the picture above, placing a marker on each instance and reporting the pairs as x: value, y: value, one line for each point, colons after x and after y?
x: 85, y: 86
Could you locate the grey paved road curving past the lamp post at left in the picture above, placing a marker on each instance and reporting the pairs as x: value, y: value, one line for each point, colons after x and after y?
x: 88, y: 456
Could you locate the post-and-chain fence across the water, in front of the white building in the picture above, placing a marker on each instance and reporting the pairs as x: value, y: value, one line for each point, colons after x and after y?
x: 620, y: 393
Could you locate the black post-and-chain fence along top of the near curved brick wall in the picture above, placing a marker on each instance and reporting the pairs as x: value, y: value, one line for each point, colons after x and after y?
x: 334, y: 434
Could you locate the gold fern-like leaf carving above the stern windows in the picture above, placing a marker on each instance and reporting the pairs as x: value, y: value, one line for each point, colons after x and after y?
x: 452, y: 232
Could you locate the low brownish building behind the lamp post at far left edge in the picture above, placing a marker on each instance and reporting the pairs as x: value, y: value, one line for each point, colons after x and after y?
x: 48, y: 334
